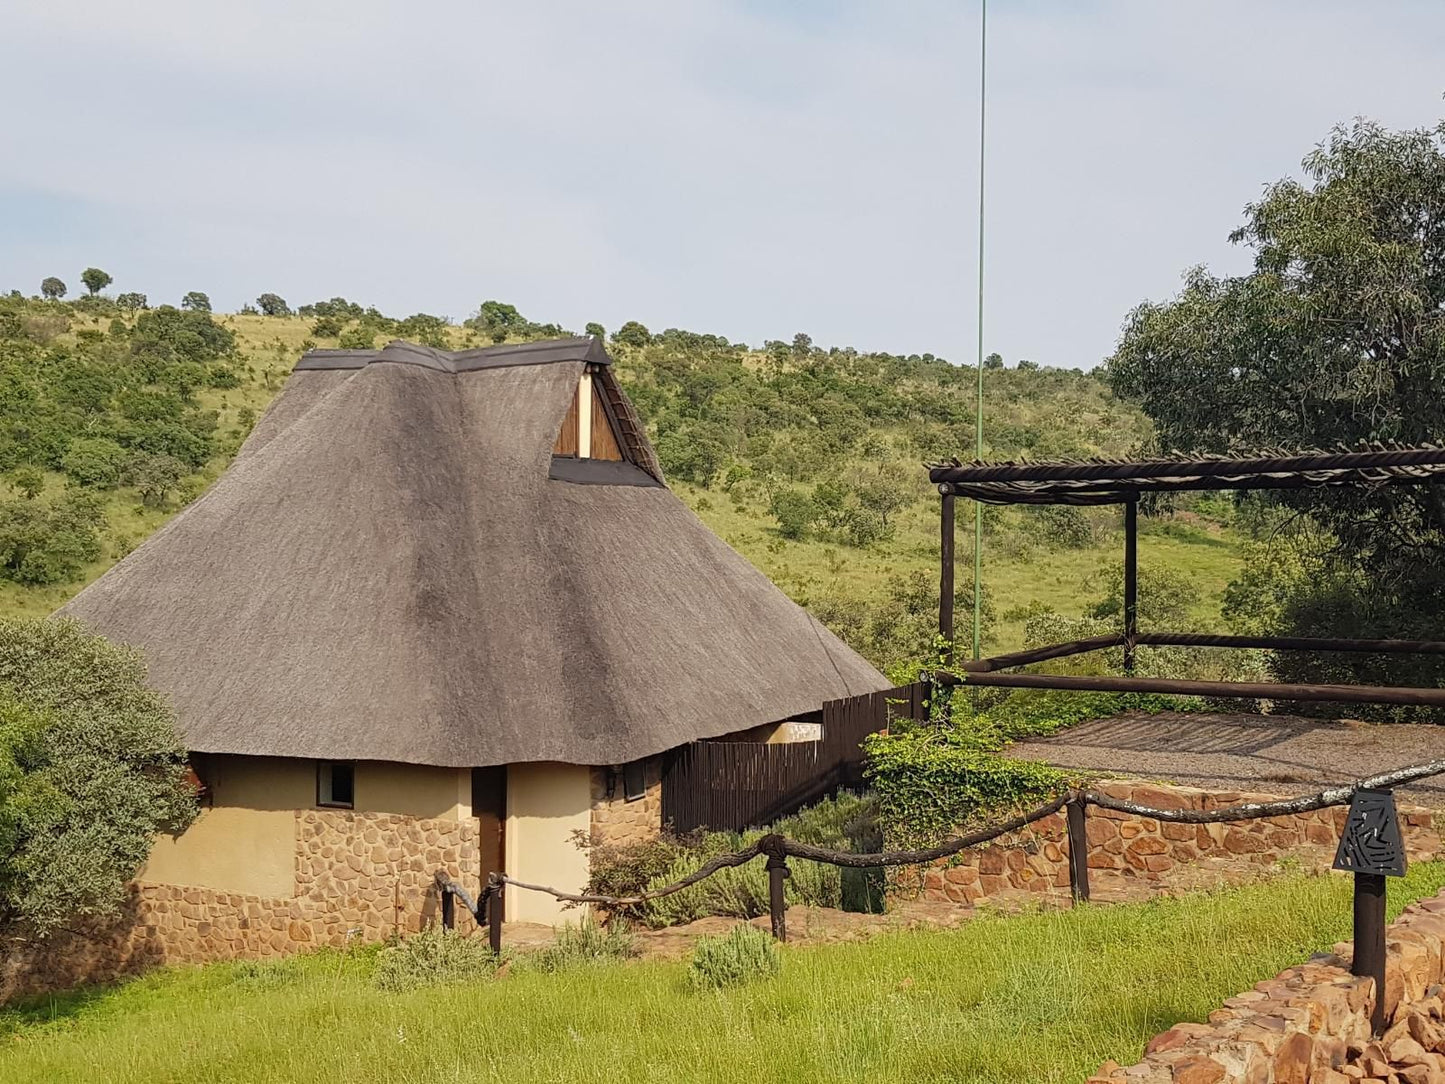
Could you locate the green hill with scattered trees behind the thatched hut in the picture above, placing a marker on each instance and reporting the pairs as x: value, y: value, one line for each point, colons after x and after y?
x: 116, y: 413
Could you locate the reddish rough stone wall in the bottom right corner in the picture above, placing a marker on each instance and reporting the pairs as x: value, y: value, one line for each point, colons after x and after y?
x: 1311, y: 1024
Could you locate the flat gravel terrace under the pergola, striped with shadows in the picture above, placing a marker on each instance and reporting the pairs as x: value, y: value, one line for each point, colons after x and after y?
x: 1269, y: 754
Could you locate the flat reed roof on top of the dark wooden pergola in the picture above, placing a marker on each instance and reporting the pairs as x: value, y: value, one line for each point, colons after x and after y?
x: 1113, y: 482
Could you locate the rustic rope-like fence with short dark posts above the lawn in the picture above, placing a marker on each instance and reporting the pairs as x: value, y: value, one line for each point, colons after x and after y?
x: 778, y: 849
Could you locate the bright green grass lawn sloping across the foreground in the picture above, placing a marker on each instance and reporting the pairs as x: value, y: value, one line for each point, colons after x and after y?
x: 1035, y: 998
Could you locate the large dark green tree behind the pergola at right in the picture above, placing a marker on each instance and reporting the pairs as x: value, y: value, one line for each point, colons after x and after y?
x: 1336, y: 337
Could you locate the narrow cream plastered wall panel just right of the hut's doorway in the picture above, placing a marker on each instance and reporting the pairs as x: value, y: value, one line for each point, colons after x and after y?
x: 547, y: 804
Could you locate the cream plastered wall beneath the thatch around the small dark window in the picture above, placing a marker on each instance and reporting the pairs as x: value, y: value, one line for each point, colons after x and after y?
x: 246, y: 840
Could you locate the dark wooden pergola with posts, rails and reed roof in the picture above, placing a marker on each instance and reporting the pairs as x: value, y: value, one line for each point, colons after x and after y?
x: 1113, y: 482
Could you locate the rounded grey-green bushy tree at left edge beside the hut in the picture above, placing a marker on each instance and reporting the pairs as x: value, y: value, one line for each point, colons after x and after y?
x: 90, y: 773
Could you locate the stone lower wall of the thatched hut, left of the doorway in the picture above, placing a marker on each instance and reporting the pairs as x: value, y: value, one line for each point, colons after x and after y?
x: 358, y: 878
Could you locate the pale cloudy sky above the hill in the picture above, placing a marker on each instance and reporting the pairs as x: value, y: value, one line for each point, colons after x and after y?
x: 749, y: 170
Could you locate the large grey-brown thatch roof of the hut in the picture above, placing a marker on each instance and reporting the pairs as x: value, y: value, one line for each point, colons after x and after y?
x: 389, y: 573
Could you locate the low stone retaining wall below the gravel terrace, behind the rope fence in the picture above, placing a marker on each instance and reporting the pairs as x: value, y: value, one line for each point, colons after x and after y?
x: 1135, y: 856
